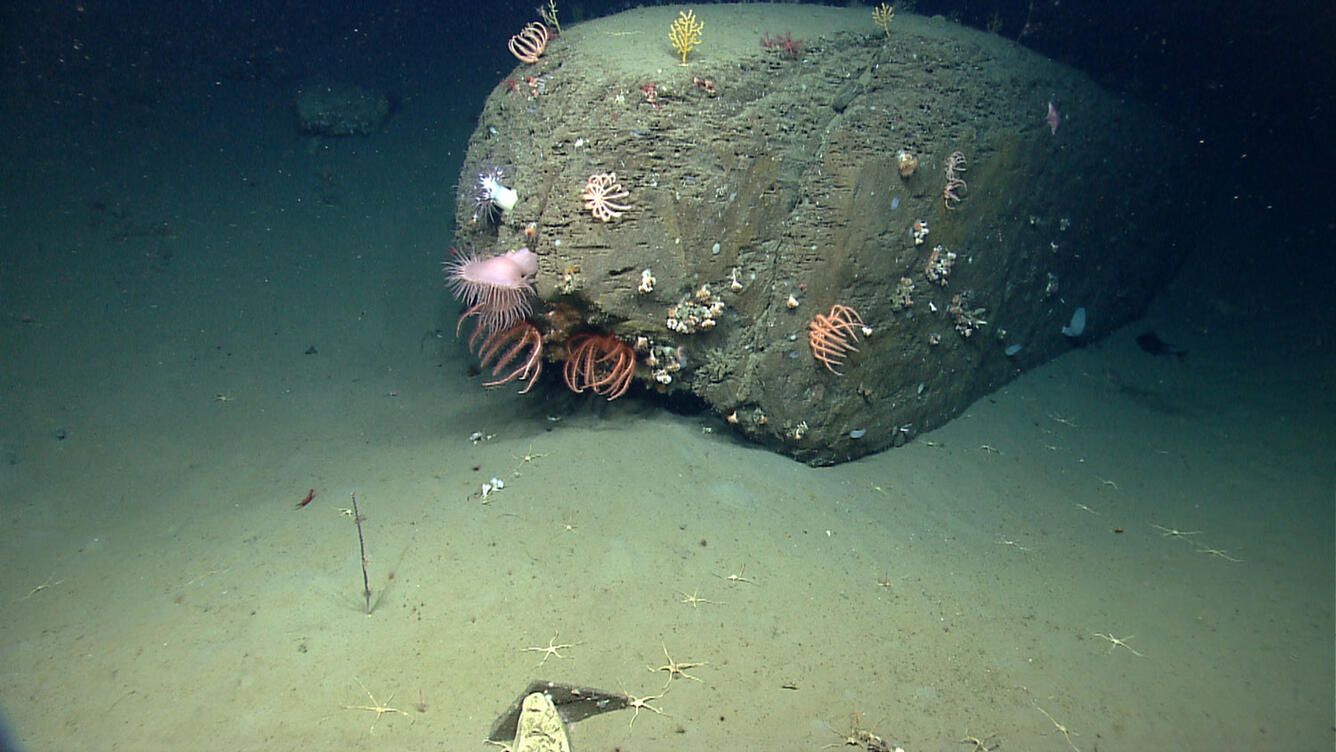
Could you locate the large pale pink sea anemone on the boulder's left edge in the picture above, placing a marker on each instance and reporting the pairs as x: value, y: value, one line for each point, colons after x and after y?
x: 496, y: 289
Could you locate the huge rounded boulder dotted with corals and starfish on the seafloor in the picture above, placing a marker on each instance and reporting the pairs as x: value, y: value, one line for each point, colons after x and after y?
x: 773, y: 178
